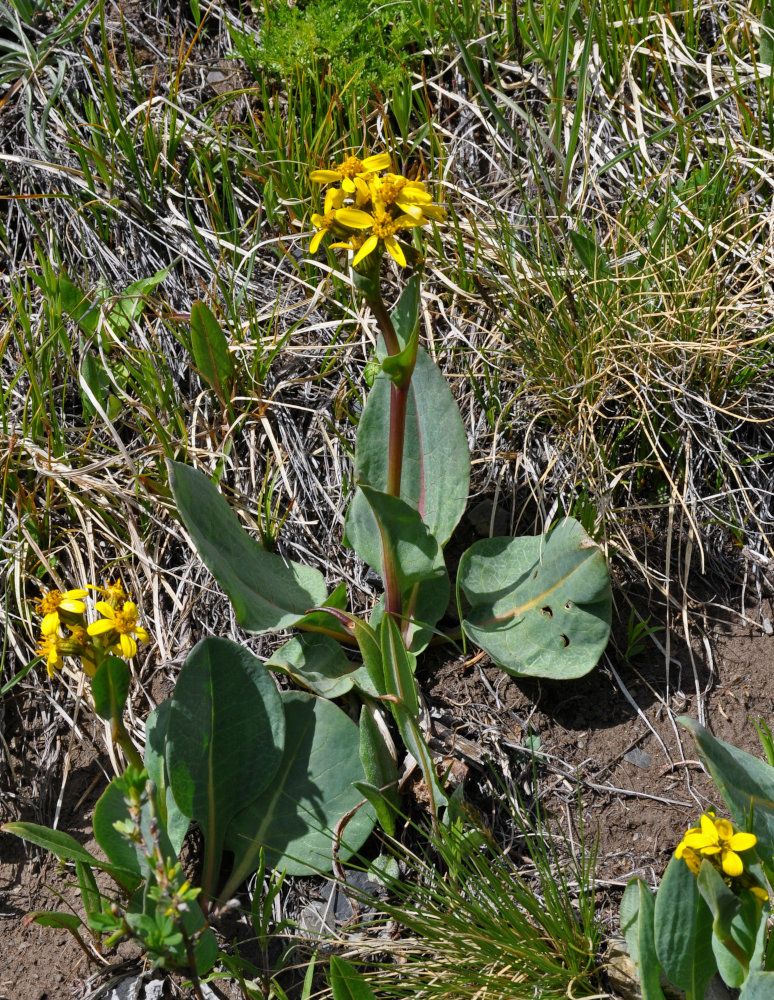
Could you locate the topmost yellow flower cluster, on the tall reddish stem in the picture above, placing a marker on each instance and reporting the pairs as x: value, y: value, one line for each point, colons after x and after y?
x: 371, y: 207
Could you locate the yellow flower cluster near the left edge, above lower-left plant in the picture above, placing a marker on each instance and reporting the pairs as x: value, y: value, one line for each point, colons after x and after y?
x: 117, y: 631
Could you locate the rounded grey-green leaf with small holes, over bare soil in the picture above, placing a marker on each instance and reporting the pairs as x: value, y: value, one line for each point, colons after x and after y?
x: 540, y: 606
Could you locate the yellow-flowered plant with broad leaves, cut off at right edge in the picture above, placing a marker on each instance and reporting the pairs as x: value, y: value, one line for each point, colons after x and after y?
x: 711, y: 911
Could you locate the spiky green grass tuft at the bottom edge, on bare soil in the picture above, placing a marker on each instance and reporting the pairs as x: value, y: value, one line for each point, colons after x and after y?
x: 474, y: 922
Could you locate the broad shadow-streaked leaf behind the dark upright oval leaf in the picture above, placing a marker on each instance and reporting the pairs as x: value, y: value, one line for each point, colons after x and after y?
x: 295, y: 818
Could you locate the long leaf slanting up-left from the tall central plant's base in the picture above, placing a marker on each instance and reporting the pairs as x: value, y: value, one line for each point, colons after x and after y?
x: 267, y: 591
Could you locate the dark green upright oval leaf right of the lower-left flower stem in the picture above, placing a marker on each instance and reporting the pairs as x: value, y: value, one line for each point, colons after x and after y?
x: 225, y: 736
